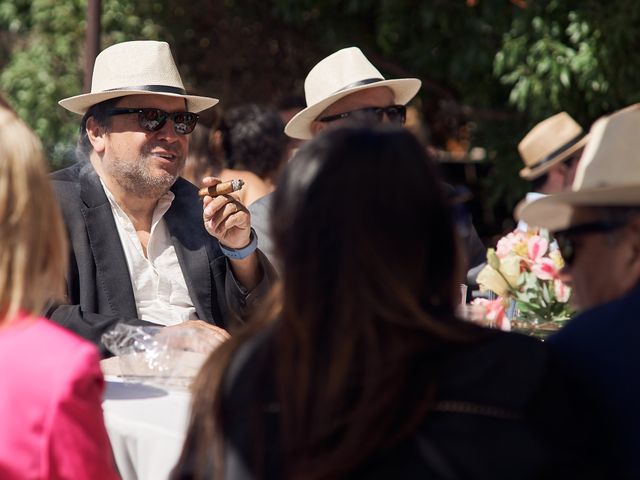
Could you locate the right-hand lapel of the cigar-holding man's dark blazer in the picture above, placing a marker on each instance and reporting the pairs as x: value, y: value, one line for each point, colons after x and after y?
x: 189, y: 238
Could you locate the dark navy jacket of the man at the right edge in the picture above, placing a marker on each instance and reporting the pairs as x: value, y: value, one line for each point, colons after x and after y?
x: 599, y: 352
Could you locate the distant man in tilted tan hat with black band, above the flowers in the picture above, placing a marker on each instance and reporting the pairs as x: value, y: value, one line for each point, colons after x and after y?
x: 551, y: 152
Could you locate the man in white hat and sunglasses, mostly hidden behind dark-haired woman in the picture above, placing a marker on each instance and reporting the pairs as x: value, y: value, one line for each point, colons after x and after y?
x: 346, y: 87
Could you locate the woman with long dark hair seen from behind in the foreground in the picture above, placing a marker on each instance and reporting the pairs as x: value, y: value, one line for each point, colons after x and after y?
x: 361, y: 369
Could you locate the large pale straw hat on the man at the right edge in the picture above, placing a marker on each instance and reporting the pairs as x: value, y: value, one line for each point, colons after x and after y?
x: 608, y: 173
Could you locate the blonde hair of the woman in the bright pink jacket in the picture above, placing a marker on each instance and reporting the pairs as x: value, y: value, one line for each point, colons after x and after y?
x: 33, y: 249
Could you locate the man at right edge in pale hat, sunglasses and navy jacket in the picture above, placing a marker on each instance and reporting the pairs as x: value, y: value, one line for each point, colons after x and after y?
x: 597, y: 227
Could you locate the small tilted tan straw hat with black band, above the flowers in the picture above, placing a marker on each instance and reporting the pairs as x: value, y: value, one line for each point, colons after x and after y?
x: 549, y: 143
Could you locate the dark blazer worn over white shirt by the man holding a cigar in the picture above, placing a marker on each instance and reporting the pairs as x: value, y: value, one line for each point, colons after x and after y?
x: 99, y: 289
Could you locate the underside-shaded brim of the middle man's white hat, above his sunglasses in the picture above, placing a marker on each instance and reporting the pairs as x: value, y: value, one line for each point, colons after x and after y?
x: 299, y: 126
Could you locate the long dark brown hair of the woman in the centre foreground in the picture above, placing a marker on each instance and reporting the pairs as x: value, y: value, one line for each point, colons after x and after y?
x: 369, y: 288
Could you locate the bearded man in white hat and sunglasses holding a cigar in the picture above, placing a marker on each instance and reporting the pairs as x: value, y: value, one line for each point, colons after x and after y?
x: 144, y: 251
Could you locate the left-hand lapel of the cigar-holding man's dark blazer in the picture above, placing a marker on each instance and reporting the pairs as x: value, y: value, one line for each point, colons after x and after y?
x: 111, y: 264
